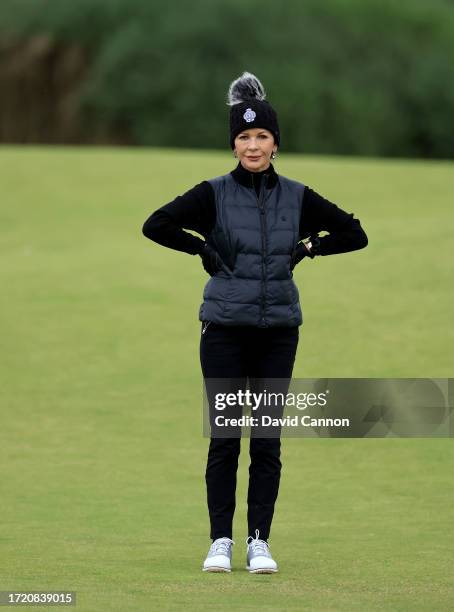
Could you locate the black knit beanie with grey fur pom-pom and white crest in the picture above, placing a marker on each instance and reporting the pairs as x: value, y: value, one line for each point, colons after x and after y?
x: 249, y: 109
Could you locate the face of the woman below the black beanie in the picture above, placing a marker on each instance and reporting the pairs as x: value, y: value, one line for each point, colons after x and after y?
x: 254, y: 147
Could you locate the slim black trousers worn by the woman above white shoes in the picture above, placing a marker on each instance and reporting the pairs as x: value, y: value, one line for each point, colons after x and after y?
x: 241, y: 353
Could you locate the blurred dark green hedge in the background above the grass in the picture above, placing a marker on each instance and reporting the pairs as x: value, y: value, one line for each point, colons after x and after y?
x: 346, y: 76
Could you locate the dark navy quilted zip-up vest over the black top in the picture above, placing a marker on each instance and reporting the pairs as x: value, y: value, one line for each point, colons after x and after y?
x: 255, y: 237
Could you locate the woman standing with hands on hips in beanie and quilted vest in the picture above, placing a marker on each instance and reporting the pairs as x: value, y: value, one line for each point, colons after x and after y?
x: 253, y: 221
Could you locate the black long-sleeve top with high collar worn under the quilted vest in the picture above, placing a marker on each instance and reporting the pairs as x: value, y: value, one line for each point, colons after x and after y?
x: 196, y: 210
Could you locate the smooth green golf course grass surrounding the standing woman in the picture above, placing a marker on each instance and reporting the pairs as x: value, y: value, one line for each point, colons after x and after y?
x: 101, y: 449
